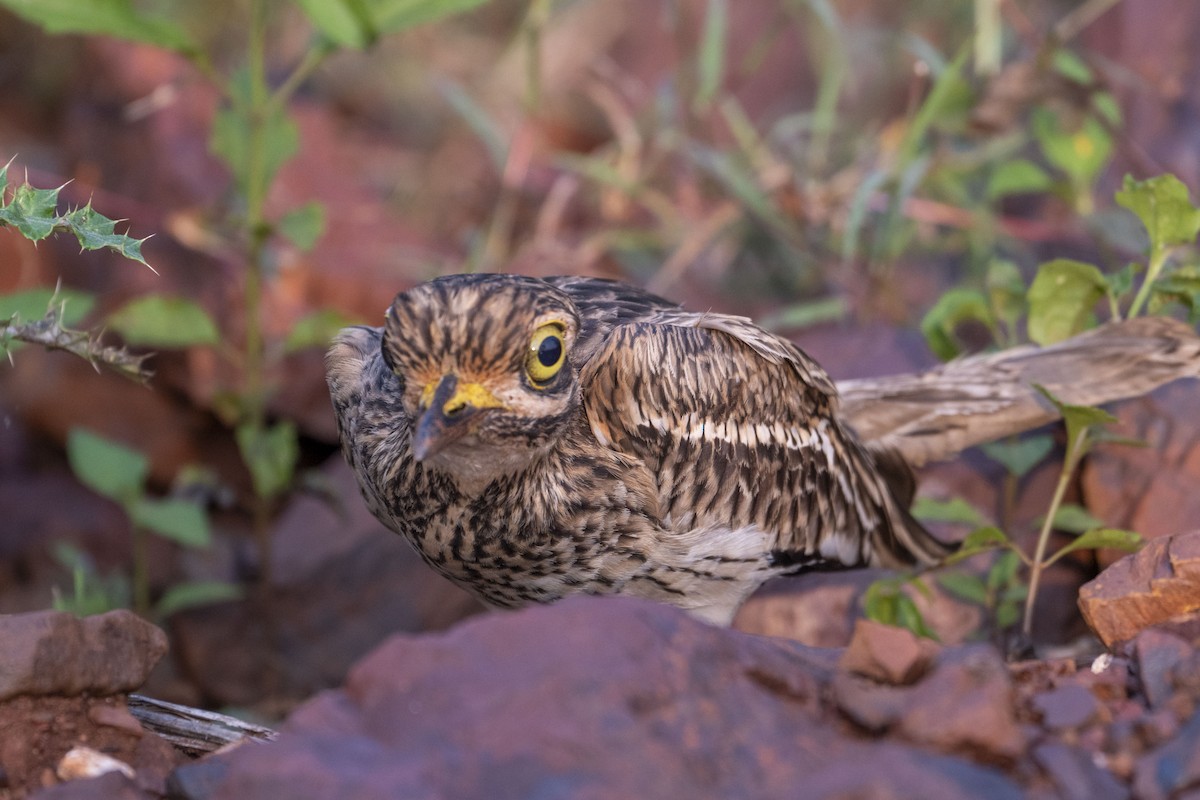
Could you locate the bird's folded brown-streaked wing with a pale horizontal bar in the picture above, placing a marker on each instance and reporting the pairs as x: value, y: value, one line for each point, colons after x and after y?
x: 741, y: 430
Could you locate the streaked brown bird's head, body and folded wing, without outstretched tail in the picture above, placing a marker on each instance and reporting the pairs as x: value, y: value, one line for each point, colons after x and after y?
x: 537, y: 438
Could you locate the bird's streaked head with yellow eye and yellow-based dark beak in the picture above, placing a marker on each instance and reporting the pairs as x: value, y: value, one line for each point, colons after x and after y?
x: 485, y: 363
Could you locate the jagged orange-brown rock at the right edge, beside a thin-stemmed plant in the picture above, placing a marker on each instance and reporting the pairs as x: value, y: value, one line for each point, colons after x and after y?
x: 1156, y: 586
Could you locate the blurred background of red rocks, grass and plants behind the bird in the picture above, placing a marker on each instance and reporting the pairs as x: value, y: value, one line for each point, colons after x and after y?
x: 833, y: 169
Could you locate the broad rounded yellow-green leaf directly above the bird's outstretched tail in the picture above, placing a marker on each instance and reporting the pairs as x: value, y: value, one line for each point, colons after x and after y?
x: 1063, y: 299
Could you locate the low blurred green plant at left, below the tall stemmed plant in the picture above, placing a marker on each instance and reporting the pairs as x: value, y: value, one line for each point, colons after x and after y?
x: 119, y: 474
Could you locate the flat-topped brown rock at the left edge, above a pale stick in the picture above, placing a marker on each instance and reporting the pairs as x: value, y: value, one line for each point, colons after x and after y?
x: 55, y: 653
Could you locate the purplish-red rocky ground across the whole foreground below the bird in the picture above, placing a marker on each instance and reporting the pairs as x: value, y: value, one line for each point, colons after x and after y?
x: 617, y: 699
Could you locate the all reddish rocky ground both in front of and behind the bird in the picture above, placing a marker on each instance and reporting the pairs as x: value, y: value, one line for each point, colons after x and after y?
x: 383, y: 679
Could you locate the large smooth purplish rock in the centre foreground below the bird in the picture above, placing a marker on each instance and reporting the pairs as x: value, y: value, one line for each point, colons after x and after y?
x: 589, y: 699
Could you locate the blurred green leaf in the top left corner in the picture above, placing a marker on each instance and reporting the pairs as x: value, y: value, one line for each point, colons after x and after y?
x: 116, y: 19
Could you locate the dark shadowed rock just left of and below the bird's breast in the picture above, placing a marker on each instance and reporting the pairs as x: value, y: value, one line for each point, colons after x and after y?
x: 344, y: 584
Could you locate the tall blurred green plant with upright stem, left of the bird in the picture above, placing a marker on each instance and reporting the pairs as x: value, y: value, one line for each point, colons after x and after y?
x: 254, y: 136
